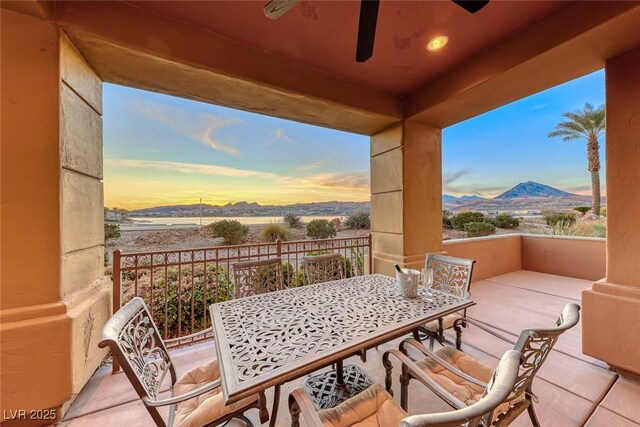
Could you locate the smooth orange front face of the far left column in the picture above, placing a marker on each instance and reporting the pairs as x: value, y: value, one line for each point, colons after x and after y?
x: 34, y: 327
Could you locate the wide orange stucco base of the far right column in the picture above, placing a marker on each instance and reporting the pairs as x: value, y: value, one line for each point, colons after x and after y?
x: 611, y: 325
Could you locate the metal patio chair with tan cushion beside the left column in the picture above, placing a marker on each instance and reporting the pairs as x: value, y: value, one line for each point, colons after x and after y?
x: 195, y: 398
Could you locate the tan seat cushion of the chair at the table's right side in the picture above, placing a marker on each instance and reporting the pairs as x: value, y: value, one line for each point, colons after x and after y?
x: 462, y: 389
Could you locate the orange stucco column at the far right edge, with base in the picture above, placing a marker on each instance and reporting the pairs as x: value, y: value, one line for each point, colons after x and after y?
x: 611, y: 320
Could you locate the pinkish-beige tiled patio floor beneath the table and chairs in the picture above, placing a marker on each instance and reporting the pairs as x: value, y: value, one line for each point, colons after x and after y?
x: 574, y: 389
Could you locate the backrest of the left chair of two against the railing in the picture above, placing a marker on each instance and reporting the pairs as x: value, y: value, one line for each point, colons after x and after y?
x: 257, y: 277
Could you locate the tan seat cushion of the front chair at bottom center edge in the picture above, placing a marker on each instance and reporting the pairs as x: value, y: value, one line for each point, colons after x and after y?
x: 372, y: 408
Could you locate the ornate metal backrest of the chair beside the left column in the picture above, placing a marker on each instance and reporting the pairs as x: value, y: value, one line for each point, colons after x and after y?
x: 136, y: 342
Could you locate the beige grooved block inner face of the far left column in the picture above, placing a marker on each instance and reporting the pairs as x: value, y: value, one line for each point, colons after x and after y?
x: 84, y: 290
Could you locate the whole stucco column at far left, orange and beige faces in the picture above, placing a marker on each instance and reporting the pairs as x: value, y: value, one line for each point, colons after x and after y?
x: 54, y: 297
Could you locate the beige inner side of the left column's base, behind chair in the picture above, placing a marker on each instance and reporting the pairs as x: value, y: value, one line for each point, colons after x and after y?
x: 87, y: 310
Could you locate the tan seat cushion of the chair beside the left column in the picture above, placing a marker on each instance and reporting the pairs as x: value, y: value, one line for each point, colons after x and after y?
x: 207, y: 407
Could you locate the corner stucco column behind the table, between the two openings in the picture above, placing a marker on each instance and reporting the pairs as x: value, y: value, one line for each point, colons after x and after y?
x: 406, y: 195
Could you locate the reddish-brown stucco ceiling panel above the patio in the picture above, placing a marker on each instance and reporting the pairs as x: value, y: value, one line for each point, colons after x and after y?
x: 322, y: 34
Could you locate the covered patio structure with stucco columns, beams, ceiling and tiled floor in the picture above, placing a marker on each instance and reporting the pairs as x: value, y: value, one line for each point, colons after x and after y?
x: 55, y: 297
